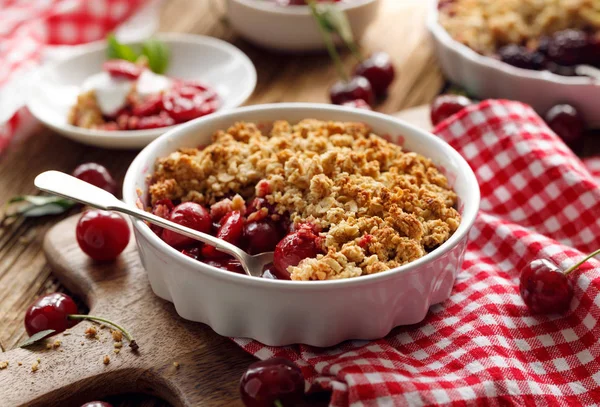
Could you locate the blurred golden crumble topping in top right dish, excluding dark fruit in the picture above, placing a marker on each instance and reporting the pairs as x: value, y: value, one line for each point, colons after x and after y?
x: 486, y: 25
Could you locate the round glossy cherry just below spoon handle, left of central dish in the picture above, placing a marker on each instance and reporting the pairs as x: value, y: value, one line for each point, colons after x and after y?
x: 102, y: 235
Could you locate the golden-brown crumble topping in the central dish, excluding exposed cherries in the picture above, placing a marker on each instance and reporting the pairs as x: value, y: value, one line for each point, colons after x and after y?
x: 376, y: 206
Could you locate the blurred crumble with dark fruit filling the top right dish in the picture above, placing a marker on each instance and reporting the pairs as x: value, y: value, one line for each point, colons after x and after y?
x: 550, y: 35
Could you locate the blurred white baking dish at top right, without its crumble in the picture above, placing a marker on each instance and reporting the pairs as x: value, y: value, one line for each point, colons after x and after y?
x: 486, y: 77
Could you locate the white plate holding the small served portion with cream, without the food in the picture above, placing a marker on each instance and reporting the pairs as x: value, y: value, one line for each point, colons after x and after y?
x: 56, y: 86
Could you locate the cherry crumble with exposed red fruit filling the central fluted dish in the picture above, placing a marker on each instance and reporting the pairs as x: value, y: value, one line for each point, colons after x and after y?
x: 332, y: 199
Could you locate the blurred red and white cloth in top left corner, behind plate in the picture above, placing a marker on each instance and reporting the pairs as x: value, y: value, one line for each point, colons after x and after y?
x: 30, y: 30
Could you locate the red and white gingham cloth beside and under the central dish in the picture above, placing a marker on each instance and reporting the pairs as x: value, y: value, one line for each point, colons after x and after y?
x: 482, y: 346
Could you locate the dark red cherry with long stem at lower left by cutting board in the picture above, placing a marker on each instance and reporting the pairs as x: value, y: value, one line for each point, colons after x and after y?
x: 50, y: 312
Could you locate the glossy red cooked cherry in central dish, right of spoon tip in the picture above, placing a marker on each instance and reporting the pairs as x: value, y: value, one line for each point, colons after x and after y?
x: 293, y: 248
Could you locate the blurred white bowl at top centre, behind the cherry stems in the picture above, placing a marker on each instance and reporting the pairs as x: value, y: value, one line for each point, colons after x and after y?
x: 292, y: 28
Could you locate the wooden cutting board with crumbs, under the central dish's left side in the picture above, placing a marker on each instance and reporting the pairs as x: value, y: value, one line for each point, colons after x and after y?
x: 183, y: 362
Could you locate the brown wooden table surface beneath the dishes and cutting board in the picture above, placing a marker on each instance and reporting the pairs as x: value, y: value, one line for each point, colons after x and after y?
x: 24, y: 274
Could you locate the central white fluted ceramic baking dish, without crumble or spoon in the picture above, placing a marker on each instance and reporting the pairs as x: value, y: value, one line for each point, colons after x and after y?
x: 319, y: 313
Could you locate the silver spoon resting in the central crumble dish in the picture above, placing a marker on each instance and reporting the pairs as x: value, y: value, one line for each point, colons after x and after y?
x: 64, y: 185
